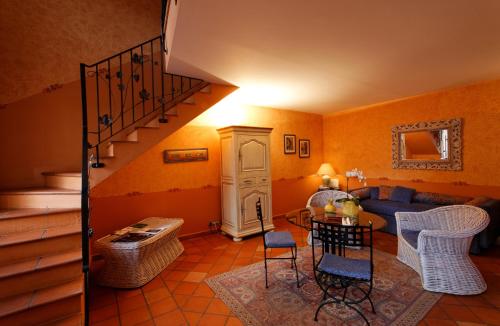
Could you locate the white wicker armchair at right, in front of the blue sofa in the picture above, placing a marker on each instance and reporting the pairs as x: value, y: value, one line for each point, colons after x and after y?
x: 436, y: 243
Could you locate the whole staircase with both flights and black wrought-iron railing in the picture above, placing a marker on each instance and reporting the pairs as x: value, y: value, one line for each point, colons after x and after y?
x: 129, y: 104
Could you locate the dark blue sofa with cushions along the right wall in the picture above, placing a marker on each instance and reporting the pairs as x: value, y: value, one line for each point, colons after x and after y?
x: 385, y: 201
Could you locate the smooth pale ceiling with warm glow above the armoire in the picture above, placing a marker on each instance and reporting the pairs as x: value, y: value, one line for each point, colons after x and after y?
x: 327, y: 55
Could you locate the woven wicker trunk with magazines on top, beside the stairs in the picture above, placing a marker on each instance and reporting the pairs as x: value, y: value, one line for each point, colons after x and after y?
x: 133, y: 264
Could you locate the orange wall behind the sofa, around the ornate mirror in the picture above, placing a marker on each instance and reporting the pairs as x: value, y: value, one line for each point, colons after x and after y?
x: 362, y: 138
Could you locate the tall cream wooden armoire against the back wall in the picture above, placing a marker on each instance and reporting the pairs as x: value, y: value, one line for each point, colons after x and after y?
x: 245, y: 177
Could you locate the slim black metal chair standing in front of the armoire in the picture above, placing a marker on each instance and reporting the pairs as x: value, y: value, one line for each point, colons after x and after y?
x: 277, y: 240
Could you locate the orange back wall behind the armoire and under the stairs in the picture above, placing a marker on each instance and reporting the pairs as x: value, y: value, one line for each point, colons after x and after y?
x: 148, y: 187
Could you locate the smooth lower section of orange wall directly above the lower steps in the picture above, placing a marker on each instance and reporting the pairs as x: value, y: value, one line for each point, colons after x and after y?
x: 38, y: 134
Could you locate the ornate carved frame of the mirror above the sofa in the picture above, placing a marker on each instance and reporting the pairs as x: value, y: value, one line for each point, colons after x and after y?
x: 454, y: 161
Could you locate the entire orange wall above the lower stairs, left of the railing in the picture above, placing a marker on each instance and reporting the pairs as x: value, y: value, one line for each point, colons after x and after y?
x: 43, y: 43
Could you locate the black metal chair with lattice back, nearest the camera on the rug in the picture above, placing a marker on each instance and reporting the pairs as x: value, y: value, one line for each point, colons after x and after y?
x: 334, y: 272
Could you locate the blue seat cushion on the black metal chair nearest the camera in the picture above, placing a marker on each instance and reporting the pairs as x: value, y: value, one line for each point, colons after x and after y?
x: 346, y: 267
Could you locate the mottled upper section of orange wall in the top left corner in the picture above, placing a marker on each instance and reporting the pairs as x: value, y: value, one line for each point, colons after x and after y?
x: 43, y: 42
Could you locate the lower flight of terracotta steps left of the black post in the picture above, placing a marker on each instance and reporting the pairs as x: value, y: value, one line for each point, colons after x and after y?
x: 40, y: 253
